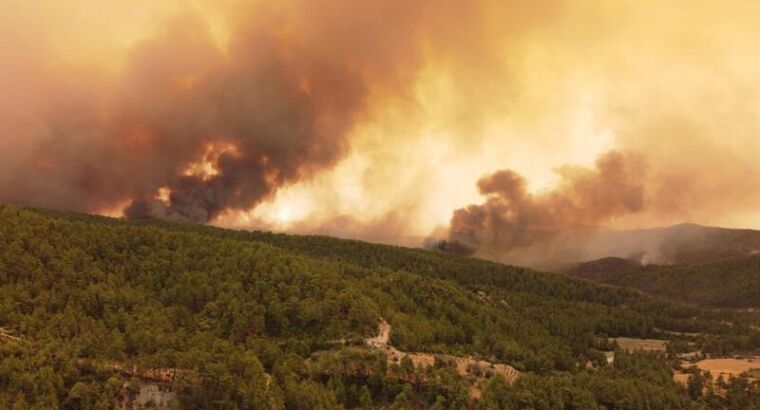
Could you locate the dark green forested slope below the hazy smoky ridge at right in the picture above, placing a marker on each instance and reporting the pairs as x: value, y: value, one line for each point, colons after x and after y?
x: 727, y: 283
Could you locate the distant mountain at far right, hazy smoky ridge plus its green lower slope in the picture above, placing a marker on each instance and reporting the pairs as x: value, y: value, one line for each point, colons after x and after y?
x: 685, y: 263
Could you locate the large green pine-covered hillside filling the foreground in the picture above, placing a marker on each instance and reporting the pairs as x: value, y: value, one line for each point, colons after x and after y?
x: 91, y: 308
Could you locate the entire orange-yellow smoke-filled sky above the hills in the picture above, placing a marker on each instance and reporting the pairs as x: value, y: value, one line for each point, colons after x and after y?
x: 389, y: 121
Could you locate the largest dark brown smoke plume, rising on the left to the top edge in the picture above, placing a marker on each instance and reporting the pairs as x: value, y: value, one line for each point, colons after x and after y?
x: 188, y: 129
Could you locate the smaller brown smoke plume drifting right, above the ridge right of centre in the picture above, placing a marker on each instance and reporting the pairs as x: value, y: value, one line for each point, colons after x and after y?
x: 512, y: 218
